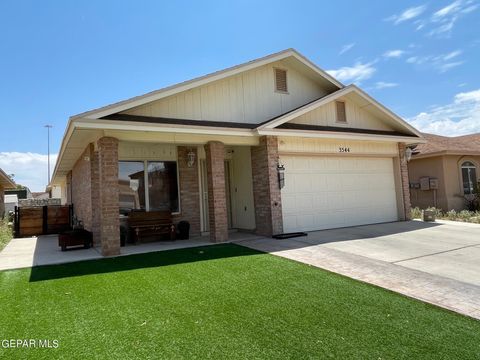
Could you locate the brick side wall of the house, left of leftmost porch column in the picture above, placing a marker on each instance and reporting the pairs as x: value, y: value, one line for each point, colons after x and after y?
x: 81, y: 188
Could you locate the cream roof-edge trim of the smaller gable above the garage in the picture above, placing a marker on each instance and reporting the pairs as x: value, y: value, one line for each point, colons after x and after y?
x: 405, y: 127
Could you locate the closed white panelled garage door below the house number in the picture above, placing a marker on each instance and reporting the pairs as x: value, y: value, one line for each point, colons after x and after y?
x: 327, y: 192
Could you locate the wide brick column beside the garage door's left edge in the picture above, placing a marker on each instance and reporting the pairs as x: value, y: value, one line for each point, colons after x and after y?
x: 266, y: 192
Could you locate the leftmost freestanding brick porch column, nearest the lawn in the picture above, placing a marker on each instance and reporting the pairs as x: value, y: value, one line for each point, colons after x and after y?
x: 108, y: 196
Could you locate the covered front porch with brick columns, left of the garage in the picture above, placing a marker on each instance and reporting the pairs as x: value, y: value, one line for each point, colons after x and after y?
x: 215, y: 183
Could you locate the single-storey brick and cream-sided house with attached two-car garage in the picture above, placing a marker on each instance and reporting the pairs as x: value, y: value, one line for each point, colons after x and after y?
x: 274, y: 145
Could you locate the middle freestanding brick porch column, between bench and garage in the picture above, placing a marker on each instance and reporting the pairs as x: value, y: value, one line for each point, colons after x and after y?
x: 217, y: 200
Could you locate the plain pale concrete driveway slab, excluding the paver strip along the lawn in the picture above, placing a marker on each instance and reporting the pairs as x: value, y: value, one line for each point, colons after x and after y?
x: 449, y: 249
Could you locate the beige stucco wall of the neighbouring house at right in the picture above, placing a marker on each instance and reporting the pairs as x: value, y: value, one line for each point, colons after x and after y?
x: 447, y: 169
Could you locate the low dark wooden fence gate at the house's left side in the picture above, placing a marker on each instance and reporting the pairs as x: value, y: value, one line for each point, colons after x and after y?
x: 42, y: 220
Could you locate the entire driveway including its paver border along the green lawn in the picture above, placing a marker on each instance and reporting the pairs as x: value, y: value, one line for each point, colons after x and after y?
x: 436, y: 263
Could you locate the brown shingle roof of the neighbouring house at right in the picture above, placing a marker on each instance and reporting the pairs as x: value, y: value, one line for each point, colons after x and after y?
x: 439, y: 145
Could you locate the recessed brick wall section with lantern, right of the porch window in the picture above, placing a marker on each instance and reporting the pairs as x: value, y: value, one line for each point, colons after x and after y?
x: 189, y: 190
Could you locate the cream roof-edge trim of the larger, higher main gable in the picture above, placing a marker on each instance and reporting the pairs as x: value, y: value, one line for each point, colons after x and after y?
x: 218, y: 75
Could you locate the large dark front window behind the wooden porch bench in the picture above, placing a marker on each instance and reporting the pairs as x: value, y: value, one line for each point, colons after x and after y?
x: 148, y: 185
